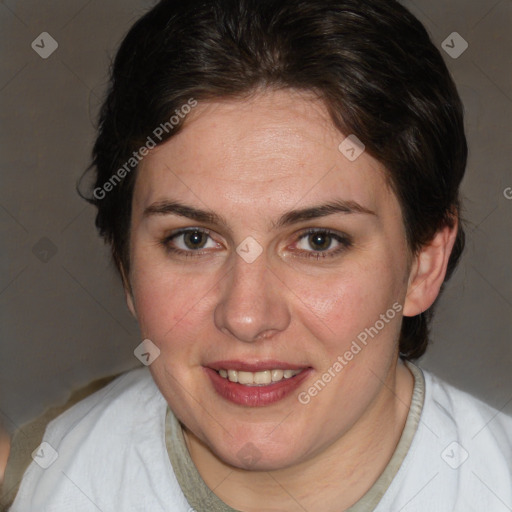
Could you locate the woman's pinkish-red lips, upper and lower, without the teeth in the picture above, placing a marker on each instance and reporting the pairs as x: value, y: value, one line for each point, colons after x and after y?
x: 255, y: 396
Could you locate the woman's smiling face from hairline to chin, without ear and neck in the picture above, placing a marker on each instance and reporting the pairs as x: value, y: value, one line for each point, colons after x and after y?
x: 260, y: 252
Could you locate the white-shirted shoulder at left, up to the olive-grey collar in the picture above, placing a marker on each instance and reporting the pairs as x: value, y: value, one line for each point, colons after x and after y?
x: 105, y: 452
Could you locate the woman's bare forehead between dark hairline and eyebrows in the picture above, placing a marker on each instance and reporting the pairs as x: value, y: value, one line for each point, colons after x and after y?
x: 277, y: 147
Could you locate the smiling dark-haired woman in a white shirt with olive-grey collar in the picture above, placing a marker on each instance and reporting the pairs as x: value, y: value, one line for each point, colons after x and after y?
x: 279, y: 182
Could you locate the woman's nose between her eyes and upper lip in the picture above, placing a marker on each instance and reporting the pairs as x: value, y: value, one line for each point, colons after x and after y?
x: 252, y: 304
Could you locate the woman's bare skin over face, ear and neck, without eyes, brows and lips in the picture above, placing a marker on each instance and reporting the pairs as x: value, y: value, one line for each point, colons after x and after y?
x: 250, y: 162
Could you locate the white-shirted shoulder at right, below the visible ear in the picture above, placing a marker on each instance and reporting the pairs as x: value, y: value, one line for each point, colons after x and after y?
x: 460, y: 459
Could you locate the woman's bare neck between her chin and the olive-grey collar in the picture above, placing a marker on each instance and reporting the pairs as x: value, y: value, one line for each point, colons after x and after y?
x: 338, y: 477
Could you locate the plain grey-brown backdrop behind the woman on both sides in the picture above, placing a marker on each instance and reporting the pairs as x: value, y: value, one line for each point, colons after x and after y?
x: 63, y: 317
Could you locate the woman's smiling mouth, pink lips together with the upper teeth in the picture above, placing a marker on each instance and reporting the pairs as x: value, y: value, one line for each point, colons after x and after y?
x: 255, y: 385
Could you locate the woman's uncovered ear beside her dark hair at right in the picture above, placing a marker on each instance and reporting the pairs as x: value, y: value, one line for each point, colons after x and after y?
x: 428, y: 271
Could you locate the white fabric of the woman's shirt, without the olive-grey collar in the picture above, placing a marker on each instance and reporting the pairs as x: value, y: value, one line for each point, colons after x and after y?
x: 112, y: 457
